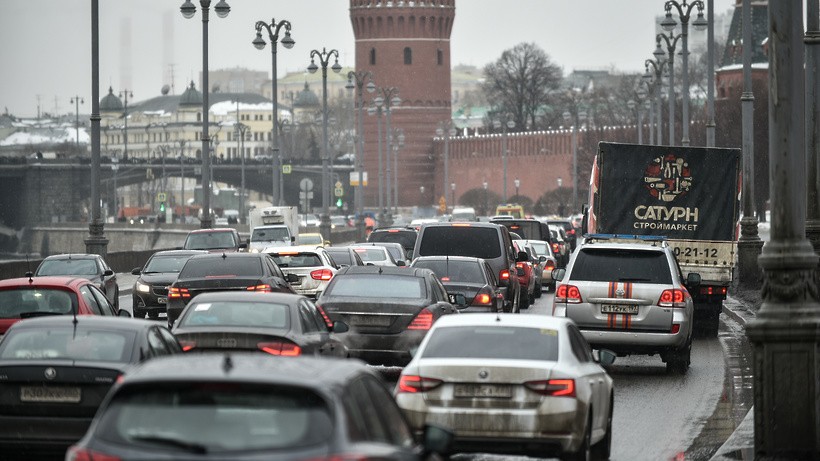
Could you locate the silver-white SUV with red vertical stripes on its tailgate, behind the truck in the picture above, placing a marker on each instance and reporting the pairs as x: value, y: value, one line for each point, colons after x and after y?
x: 627, y: 294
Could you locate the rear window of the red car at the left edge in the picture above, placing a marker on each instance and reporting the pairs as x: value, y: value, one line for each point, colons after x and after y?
x: 27, y: 302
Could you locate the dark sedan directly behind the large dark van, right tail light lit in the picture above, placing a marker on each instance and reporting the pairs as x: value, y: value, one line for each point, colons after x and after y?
x: 471, y: 277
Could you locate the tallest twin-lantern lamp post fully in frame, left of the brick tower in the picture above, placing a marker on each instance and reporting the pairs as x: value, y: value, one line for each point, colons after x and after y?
x: 273, y: 35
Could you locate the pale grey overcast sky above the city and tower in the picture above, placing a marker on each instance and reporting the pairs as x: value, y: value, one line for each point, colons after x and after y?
x: 46, y: 44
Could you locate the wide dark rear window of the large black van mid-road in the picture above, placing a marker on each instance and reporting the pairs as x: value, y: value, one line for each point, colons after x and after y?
x: 477, y: 242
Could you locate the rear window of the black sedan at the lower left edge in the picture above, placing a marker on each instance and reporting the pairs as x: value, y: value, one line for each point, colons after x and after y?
x: 66, y: 343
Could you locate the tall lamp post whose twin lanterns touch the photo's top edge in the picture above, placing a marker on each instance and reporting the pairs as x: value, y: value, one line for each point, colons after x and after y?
x: 188, y: 10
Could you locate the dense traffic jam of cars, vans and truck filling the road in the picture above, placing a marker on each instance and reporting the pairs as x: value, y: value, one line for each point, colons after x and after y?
x: 421, y: 343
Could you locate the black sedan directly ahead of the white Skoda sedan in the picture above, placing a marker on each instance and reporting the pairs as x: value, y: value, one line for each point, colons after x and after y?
x: 388, y: 309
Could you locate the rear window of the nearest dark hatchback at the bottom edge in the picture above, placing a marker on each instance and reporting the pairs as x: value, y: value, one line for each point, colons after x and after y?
x: 217, y: 418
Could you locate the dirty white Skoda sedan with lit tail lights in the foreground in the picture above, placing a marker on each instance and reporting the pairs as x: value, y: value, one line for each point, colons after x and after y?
x: 511, y: 384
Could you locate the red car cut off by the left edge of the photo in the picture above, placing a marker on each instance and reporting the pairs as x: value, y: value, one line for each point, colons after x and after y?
x: 27, y: 297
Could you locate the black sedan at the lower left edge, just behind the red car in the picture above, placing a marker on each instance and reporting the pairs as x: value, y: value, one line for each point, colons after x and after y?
x: 57, y: 370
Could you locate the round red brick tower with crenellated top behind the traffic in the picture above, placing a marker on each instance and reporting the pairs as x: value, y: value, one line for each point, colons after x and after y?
x: 406, y: 44
